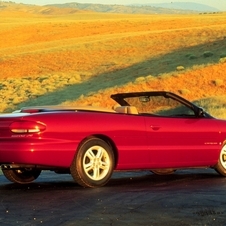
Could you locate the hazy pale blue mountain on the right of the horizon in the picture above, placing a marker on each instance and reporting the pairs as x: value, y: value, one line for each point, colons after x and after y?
x: 182, y: 6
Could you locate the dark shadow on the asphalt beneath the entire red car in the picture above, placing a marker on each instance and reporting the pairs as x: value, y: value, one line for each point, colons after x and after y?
x: 122, y: 181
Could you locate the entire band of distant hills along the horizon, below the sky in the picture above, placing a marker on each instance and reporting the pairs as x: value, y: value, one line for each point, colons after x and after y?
x: 73, y: 7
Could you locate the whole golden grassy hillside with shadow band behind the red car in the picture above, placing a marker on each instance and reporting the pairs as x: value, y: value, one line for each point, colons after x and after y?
x: 84, y: 57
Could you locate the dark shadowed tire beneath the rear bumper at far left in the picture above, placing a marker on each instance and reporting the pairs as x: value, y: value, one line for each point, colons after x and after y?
x: 21, y: 176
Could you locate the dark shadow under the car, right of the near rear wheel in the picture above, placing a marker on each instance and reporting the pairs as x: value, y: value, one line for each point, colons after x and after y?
x: 182, y: 178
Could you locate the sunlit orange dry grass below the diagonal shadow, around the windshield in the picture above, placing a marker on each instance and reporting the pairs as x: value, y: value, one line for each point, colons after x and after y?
x: 194, y: 84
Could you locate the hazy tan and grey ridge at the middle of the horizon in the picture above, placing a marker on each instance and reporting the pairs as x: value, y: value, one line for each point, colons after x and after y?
x: 131, y: 9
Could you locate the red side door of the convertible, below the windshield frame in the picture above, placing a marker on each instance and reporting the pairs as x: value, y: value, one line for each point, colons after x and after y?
x: 182, y: 141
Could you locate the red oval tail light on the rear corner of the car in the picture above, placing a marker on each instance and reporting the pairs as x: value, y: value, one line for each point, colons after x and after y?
x: 27, y: 127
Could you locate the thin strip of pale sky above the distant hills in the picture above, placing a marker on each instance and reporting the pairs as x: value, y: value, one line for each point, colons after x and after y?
x: 219, y: 4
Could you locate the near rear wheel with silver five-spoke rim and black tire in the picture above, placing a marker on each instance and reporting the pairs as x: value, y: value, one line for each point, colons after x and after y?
x: 93, y: 163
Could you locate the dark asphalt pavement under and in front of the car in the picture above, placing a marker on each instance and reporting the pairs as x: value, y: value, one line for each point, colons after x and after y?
x: 188, y: 197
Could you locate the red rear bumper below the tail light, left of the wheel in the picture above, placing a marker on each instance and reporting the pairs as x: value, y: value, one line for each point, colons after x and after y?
x: 51, y: 153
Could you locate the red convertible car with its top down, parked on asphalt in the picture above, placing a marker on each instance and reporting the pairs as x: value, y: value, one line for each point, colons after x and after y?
x: 156, y: 131
